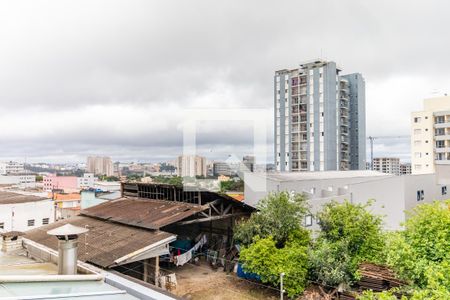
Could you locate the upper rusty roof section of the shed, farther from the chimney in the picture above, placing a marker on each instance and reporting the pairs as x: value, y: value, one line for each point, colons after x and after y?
x: 145, y: 213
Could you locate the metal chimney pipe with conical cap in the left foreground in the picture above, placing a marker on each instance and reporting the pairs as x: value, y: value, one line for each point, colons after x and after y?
x: 67, y: 247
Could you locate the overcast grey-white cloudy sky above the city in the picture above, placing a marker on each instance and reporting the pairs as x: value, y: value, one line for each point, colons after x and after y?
x: 116, y: 77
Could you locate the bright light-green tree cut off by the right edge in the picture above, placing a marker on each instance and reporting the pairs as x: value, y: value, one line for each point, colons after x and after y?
x: 421, y: 253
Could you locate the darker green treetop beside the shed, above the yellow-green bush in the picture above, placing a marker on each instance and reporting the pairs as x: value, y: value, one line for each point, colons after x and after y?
x: 279, y: 216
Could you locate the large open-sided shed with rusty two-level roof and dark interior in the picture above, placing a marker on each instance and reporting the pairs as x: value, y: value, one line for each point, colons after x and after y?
x: 133, y: 232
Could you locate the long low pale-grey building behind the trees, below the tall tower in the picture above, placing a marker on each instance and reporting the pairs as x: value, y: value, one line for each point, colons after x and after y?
x: 392, y: 195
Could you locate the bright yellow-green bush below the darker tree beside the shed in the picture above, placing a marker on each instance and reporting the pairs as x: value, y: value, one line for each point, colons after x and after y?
x: 265, y: 259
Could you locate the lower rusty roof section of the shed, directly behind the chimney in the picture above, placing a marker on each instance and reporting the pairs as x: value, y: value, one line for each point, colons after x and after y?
x: 104, y: 243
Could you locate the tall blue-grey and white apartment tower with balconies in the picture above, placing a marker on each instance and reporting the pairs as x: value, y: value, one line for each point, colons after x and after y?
x: 320, y: 122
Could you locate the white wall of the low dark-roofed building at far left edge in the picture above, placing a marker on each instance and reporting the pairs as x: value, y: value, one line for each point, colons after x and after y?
x: 15, y: 216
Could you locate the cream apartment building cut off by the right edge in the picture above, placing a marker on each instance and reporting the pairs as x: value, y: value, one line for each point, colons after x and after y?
x: 430, y: 136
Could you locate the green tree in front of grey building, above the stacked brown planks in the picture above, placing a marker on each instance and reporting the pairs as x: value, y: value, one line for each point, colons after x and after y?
x: 349, y: 235
